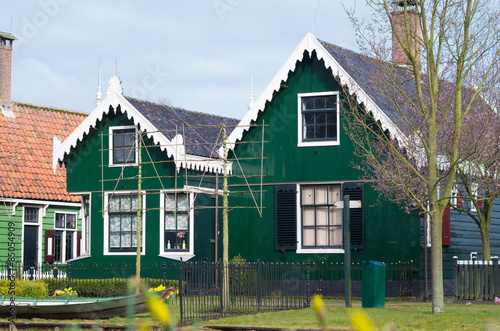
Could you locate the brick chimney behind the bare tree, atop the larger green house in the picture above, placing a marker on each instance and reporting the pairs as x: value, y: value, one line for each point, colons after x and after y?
x: 398, y: 17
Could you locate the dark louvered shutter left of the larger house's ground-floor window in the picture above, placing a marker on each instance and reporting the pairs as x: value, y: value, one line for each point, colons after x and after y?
x: 286, y: 217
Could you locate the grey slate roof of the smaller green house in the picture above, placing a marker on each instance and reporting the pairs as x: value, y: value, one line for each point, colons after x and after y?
x: 201, y: 131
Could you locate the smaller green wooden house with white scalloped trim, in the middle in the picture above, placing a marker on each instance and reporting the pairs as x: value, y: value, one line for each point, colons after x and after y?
x: 171, y: 153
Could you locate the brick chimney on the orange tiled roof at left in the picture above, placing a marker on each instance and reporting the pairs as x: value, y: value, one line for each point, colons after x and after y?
x: 6, y: 41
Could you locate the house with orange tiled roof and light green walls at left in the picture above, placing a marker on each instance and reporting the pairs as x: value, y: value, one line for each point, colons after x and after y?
x: 39, y: 221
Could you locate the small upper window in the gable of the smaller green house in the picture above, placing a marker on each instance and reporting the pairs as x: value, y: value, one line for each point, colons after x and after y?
x: 123, y: 146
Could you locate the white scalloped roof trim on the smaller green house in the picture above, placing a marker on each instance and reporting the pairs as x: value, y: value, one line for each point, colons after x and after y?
x: 174, y: 148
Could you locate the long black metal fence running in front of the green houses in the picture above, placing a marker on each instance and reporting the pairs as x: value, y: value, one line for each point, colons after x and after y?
x: 251, y: 286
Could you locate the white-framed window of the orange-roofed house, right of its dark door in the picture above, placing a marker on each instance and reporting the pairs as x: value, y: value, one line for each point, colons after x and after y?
x: 65, y: 239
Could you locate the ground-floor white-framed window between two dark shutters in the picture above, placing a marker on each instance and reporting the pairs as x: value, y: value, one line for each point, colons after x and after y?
x: 320, y: 213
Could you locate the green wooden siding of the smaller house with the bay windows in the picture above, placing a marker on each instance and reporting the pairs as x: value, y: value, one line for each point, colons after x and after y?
x: 88, y: 171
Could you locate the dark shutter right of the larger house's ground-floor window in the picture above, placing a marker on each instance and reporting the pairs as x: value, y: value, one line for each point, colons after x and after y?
x: 355, y: 192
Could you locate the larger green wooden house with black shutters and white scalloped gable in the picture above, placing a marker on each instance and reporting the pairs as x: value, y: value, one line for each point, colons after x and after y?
x: 308, y: 166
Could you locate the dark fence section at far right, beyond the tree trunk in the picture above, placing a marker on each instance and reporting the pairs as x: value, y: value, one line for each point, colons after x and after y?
x: 476, y: 280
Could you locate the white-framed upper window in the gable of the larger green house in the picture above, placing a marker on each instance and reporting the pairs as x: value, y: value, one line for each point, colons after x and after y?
x: 318, y: 119
